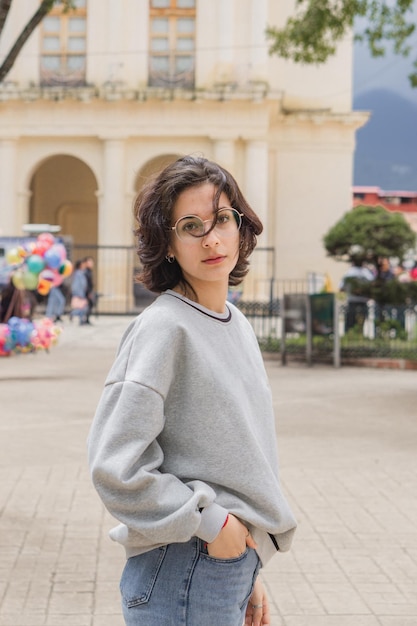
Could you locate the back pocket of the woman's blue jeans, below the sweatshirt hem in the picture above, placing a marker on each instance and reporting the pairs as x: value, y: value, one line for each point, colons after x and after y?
x: 139, y: 576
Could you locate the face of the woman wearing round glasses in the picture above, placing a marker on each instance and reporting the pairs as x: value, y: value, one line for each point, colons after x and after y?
x: 207, y: 259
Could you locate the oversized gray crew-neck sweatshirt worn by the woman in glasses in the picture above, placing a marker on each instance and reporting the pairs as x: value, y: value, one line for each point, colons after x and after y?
x: 184, y: 432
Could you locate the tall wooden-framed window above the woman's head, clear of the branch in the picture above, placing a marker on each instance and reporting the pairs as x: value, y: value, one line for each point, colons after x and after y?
x: 172, y: 43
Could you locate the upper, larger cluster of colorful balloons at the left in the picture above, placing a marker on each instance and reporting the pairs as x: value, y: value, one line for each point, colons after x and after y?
x: 40, y: 265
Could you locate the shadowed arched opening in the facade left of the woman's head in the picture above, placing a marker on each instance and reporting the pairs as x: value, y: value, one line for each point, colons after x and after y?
x: 63, y: 191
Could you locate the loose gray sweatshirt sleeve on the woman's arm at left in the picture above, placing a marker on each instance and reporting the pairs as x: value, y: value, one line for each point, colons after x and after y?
x: 125, y: 460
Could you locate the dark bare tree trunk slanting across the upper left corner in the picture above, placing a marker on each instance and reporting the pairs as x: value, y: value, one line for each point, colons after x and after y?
x: 43, y: 9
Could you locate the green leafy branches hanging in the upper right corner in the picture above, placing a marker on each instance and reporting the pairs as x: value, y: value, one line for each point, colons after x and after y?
x: 312, y: 34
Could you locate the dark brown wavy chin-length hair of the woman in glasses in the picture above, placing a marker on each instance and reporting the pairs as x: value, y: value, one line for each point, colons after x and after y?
x: 153, y: 210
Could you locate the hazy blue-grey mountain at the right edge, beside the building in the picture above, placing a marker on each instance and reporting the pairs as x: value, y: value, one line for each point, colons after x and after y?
x: 386, y: 147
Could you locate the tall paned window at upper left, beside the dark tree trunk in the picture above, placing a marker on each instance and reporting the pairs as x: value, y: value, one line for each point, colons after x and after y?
x: 63, y: 45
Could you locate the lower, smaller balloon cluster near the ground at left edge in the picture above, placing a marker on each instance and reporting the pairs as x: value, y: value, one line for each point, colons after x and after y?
x: 22, y: 335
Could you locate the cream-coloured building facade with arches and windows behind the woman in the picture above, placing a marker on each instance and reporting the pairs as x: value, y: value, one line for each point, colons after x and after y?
x: 102, y: 96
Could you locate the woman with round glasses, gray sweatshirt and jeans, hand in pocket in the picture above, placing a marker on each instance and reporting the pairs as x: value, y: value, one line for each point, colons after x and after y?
x: 182, y: 447
